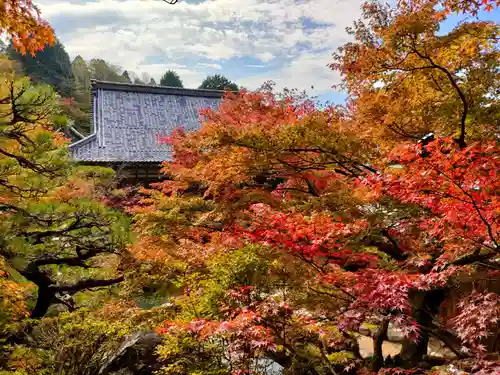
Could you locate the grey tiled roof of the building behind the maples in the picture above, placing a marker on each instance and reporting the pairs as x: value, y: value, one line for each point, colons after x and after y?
x: 127, y: 120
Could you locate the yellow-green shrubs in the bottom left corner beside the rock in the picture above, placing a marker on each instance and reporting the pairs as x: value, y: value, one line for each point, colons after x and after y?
x: 79, y: 342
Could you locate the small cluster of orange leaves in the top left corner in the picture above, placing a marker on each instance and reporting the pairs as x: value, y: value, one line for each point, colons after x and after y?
x: 21, y: 20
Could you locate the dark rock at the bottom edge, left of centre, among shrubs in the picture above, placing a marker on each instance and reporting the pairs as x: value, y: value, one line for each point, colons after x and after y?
x: 135, y: 356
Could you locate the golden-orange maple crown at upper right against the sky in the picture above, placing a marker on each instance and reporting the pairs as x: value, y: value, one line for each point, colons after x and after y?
x: 444, y: 84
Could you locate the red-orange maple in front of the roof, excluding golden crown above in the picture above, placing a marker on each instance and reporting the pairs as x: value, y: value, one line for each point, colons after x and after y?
x: 297, y: 205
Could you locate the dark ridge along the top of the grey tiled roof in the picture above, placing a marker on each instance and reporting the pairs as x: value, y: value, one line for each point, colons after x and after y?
x: 142, y: 88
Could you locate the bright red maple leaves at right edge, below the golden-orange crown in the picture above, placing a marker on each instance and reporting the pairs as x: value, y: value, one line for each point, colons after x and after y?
x: 459, y: 188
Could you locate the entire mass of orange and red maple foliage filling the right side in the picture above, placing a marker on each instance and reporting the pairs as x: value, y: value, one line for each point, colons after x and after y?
x: 385, y: 212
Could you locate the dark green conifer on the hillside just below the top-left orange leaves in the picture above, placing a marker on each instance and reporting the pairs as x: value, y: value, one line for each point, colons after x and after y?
x: 51, y: 66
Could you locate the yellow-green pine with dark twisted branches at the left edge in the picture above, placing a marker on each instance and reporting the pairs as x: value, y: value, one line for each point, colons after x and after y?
x: 53, y: 224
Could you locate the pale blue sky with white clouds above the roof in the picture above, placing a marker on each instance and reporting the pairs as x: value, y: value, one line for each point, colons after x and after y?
x: 248, y: 41
